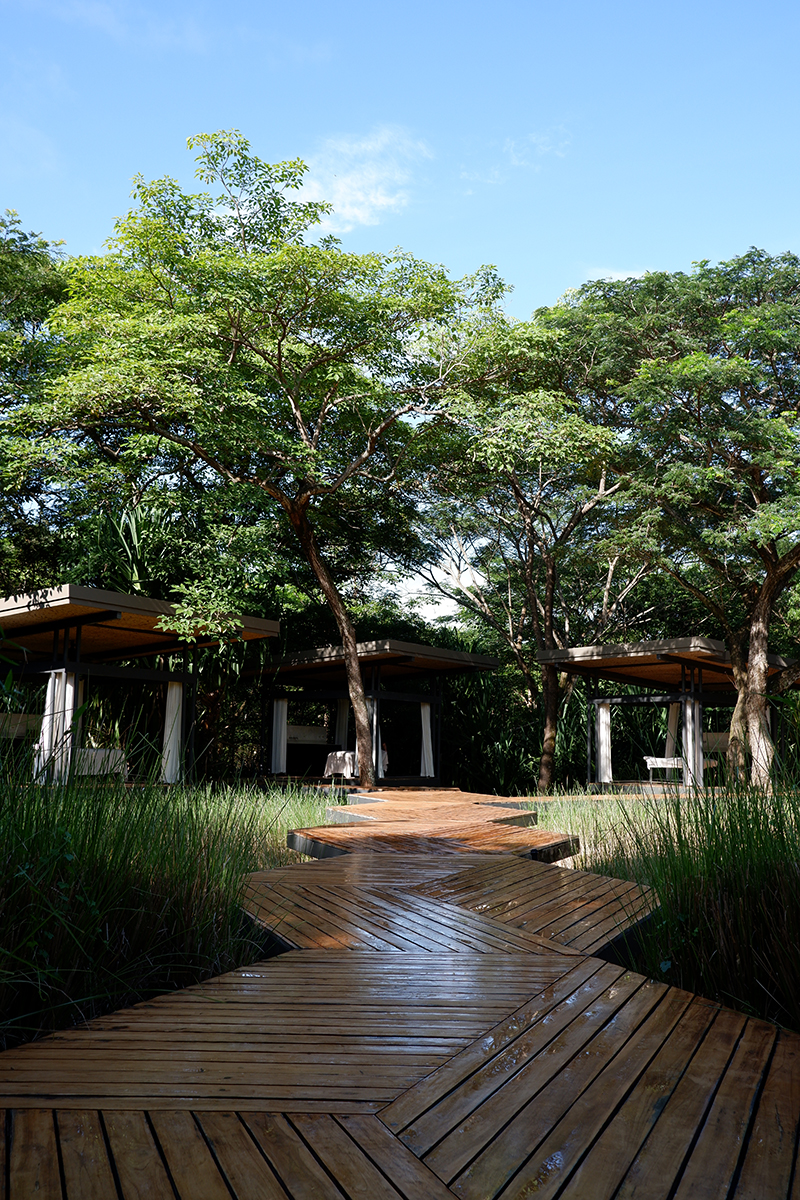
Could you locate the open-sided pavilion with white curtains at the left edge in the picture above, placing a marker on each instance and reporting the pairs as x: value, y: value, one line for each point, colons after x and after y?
x: 75, y: 637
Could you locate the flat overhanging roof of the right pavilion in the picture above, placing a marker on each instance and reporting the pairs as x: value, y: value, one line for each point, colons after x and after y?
x: 654, y: 664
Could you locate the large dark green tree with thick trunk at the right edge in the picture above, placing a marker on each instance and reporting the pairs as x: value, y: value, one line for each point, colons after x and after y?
x: 705, y: 370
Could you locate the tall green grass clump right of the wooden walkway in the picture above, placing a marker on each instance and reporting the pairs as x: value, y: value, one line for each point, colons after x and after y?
x: 726, y: 873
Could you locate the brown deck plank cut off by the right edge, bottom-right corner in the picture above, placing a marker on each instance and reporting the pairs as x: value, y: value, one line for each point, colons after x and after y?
x: 769, y: 1156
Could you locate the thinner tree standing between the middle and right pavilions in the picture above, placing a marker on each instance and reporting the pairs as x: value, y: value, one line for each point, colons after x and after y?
x: 527, y: 503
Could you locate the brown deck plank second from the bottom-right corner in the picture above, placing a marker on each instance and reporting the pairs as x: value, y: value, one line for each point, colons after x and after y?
x: 715, y: 1157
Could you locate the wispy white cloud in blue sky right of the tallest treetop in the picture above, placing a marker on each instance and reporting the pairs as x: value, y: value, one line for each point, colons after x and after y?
x: 364, y: 178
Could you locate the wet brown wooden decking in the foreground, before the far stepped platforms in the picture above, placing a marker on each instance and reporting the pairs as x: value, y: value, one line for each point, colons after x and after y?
x: 442, y: 1027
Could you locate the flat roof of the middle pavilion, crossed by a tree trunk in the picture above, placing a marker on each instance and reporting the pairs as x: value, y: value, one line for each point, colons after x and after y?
x: 327, y: 663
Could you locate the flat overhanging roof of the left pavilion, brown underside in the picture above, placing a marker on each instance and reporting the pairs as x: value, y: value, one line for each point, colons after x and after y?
x: 112, y: 626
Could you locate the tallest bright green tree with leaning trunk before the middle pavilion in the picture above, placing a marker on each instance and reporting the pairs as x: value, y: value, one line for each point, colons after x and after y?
x: 213, y: 335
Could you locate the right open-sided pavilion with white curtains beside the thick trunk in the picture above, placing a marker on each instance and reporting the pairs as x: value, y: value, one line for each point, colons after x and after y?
x: 682, y: 674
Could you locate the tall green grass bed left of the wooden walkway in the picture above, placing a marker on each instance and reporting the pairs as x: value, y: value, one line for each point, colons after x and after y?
x: 112, y: 895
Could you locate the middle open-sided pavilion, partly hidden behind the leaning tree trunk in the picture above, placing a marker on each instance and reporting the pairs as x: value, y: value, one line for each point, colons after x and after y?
x: 394, y: 673
